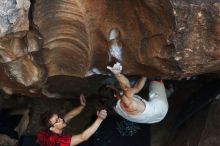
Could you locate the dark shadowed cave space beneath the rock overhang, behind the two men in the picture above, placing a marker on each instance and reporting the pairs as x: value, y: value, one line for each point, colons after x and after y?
x: 192, y: 105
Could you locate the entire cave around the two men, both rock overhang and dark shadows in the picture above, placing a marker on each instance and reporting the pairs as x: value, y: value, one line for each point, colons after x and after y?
x: 53, y: 50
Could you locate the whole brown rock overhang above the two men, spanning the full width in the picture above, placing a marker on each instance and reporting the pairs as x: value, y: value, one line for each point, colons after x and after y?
x: 69, y: 40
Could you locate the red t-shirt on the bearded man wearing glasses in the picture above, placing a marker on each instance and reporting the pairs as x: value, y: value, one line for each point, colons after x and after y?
x: 46, y: 138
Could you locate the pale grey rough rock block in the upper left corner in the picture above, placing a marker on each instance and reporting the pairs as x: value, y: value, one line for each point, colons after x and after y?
x: 13, y: 16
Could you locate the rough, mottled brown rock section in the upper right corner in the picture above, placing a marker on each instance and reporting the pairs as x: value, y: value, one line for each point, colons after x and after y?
x: 196, y: 38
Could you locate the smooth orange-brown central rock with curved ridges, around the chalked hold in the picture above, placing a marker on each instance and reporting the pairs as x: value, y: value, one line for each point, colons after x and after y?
x: 79, y: 30
